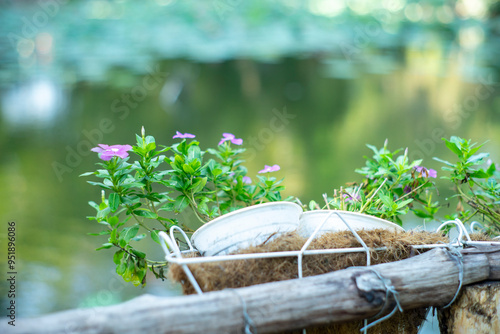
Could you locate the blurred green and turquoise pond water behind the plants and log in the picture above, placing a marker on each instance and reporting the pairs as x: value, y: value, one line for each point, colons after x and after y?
x: 305, y: 83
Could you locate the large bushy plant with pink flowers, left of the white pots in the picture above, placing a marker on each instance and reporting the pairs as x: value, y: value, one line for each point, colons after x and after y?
x: 139, y: 195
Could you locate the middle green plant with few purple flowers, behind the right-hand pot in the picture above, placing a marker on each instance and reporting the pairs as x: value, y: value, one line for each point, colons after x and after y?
x: 392, y: 186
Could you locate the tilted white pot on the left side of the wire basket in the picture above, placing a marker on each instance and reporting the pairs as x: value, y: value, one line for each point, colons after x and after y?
x: 246, y: 227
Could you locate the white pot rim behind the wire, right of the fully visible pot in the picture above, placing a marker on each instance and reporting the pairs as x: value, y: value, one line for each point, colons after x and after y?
x: 311, y: 219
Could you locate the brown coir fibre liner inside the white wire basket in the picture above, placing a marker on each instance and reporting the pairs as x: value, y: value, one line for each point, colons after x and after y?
x: 241, y: 273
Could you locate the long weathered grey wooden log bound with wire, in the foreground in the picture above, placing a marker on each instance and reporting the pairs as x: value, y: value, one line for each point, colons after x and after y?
x: 431, y: 279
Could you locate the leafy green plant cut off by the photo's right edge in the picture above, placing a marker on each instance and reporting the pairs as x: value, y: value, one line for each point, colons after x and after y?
x: 477, y: 190
